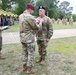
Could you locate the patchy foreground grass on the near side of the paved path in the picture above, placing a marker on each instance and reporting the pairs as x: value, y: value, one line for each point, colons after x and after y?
x: 61, y: 58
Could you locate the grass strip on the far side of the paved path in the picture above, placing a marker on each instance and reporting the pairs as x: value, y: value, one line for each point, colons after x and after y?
x: 15, y: 28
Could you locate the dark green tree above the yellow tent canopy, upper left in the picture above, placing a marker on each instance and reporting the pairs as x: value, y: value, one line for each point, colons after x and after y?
x: 20, y: 5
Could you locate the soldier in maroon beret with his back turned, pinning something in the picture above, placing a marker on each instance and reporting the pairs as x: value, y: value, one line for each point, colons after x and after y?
x: 28, y: 27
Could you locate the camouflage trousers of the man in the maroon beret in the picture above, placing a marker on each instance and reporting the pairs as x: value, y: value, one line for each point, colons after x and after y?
x: 28, y: 53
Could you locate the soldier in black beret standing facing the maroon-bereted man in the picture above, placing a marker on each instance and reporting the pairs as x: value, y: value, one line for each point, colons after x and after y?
x: 43, y: 35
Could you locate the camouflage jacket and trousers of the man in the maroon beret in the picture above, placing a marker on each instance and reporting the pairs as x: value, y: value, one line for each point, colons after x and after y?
x: 27, y: 31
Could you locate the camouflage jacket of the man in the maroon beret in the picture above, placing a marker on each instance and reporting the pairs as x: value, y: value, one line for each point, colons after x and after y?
x: 27, y: 28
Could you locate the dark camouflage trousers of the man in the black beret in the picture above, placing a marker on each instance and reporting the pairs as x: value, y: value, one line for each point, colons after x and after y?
x: 42, y: 45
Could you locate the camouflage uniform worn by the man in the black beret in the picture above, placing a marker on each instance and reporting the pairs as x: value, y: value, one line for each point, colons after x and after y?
x: 45, y: 33
